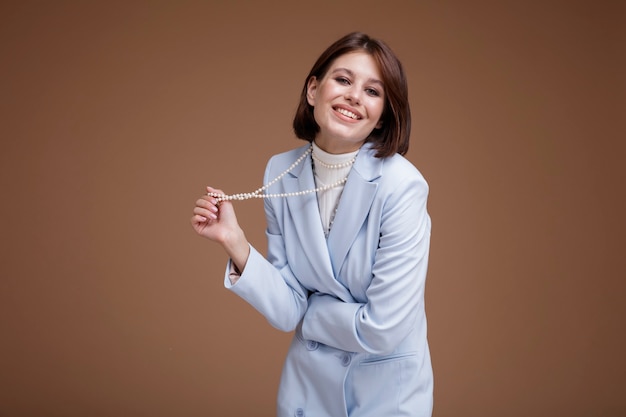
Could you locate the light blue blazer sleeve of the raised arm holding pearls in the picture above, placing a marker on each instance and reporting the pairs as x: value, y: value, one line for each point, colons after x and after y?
x: 269, y: 285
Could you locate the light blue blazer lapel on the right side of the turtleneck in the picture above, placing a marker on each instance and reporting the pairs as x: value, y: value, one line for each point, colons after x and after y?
x: 354, y: 205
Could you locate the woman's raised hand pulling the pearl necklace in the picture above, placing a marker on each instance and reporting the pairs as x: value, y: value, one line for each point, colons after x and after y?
x: 218, y: 223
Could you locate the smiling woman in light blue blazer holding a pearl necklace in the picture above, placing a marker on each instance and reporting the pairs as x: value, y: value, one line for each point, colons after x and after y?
x: 348, y: 240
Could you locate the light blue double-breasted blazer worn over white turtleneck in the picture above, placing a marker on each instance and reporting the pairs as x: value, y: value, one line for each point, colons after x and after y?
x: 354, y: 299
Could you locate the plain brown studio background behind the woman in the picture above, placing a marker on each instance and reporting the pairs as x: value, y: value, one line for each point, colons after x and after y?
x: 116, y: 115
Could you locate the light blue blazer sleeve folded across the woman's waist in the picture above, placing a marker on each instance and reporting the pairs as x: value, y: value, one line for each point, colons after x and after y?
x: 395, y: 296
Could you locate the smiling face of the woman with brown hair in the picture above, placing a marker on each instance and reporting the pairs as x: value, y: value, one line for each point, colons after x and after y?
x: 347, y: 102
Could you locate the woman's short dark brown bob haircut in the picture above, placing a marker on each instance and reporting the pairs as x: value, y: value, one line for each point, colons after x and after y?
x: 393, y: 136
